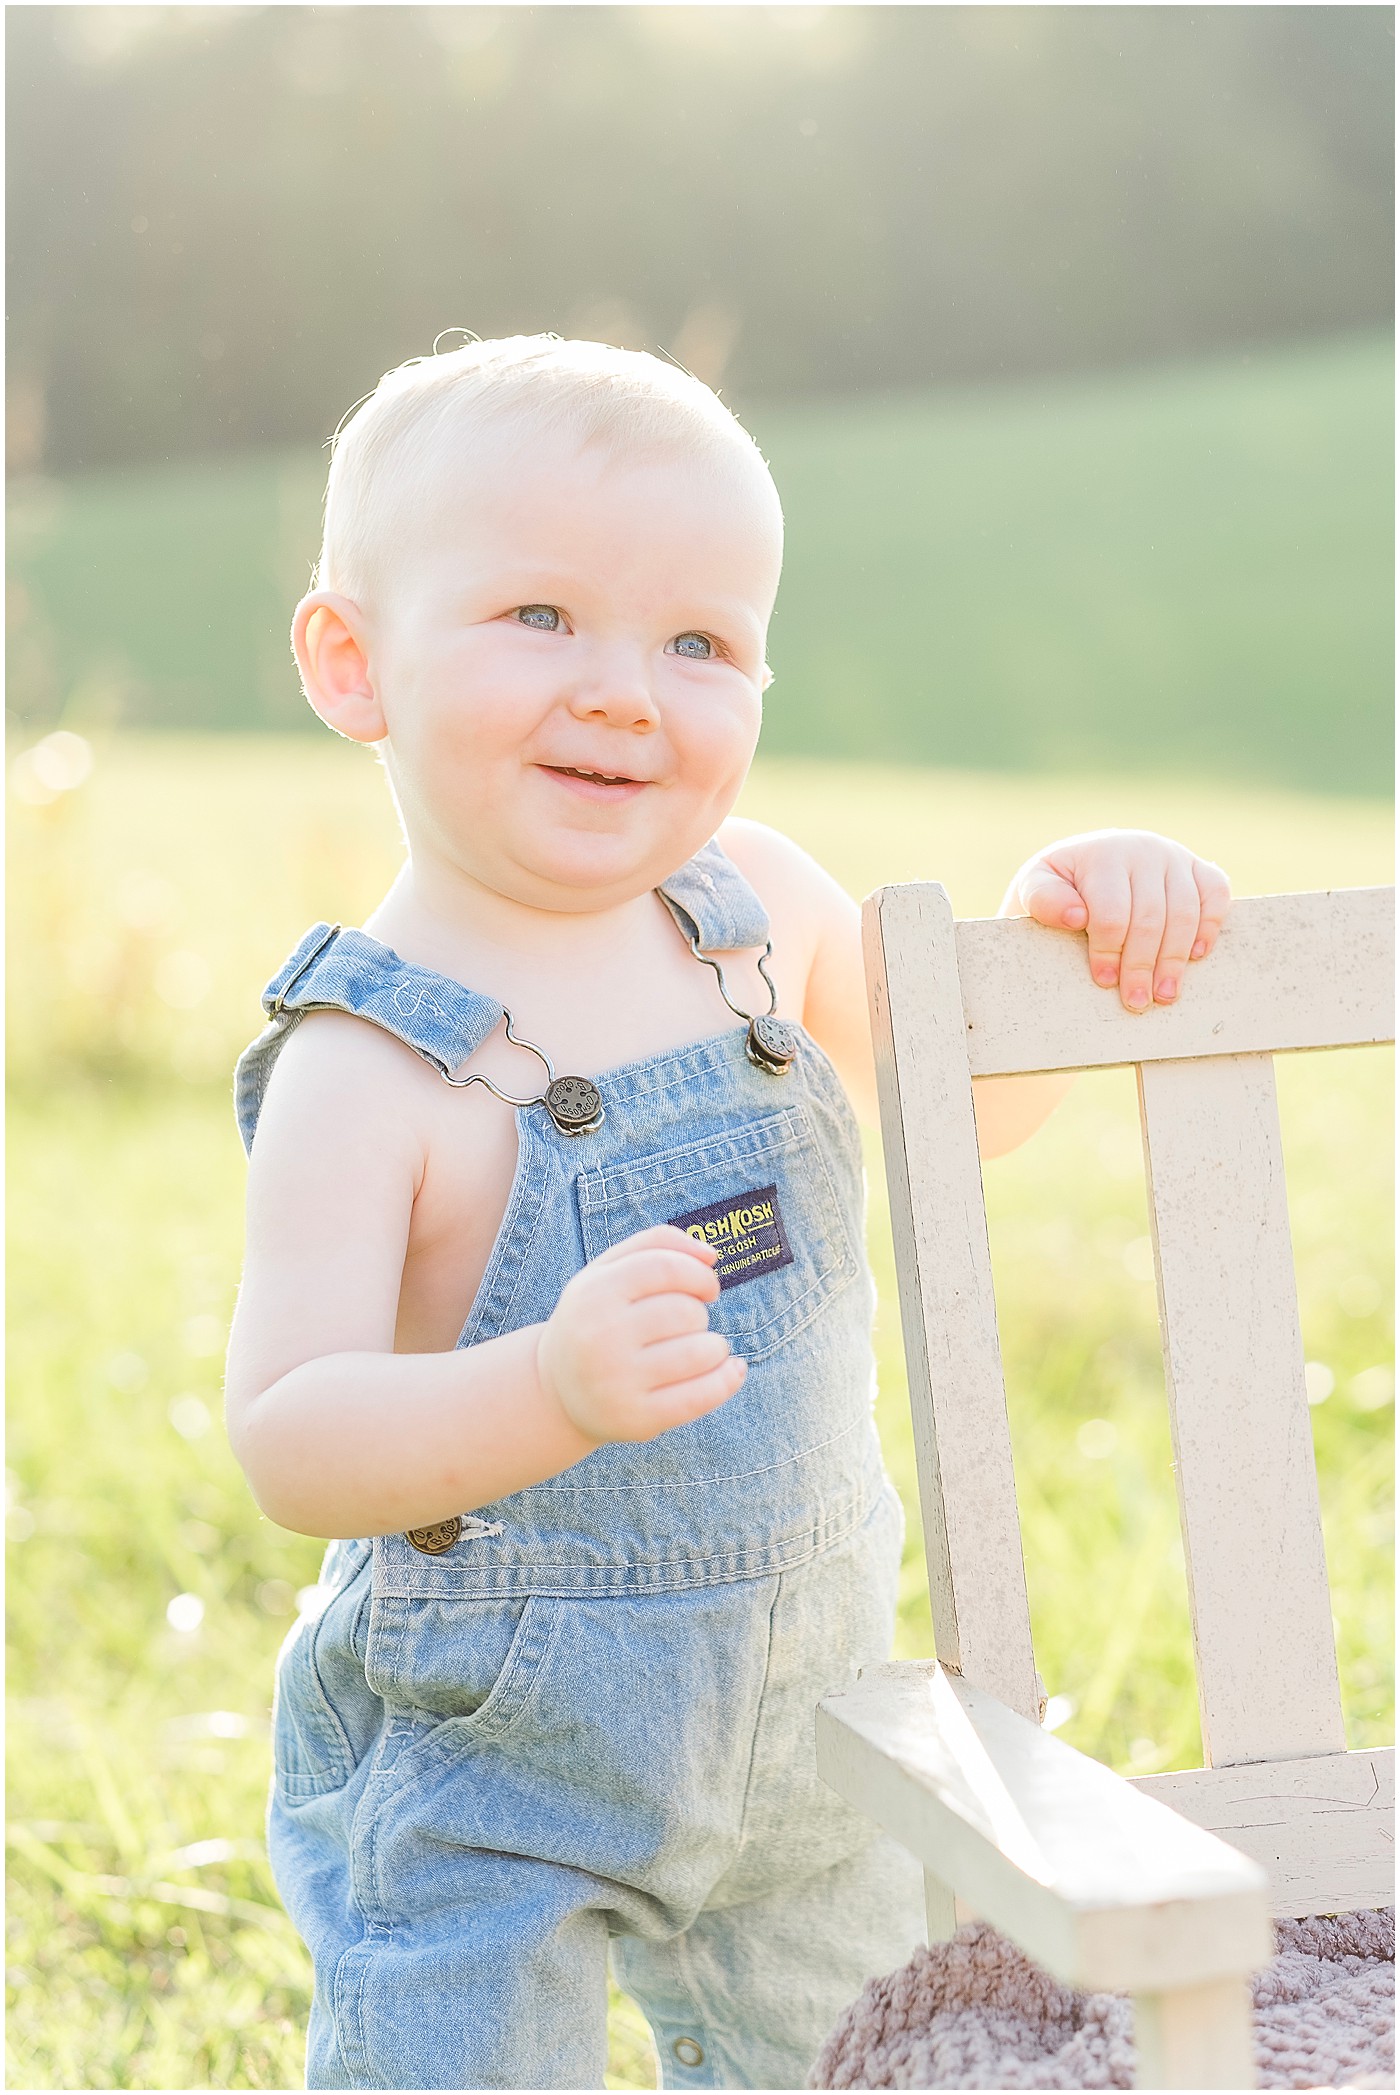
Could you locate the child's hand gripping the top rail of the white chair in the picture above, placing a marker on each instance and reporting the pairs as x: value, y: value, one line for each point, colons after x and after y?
x: 1150, y: 906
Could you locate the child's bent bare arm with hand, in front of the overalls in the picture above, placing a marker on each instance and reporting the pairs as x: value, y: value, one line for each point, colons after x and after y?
x: 338, y: 1434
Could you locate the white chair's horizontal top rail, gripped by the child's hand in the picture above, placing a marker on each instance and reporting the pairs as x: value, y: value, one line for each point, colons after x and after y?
x: 1290, y: 971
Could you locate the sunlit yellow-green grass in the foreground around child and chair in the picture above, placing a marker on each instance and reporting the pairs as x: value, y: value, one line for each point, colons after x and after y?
x: 148, y: 1597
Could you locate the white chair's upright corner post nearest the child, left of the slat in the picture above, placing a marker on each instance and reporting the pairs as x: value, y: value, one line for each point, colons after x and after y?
x: 957, y: 1392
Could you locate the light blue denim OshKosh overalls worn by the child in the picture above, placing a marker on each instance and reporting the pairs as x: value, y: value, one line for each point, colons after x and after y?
x: 582, y: 1719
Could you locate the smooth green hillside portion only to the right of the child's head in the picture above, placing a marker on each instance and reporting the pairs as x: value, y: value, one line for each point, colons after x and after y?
x: 1185, y: 569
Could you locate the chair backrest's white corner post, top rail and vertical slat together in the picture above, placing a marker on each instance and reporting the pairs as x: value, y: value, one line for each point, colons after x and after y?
x: 1003, y: 998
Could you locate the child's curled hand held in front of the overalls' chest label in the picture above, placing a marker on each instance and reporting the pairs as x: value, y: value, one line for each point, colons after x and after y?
x: 628, y: 1350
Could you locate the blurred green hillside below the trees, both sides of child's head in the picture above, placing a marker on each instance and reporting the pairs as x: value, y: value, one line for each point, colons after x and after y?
x: 1181, y: 569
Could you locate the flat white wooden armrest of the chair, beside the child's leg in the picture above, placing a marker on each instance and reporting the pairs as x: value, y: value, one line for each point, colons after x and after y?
x: 1097, y: 1882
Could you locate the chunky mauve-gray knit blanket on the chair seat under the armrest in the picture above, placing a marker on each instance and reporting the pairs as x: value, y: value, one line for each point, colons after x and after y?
x: 978, y: 2014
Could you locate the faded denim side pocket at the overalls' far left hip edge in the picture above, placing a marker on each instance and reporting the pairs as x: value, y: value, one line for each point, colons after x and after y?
x: 326, y: 1717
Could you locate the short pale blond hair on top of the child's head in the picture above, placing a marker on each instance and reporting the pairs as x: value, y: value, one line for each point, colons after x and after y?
x: 577, y: 391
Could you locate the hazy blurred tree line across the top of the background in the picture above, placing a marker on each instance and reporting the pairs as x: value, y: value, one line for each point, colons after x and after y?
x: 227, y: 221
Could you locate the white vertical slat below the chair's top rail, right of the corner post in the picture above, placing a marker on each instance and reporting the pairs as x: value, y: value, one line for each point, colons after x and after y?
x: 1246, y: 1480
